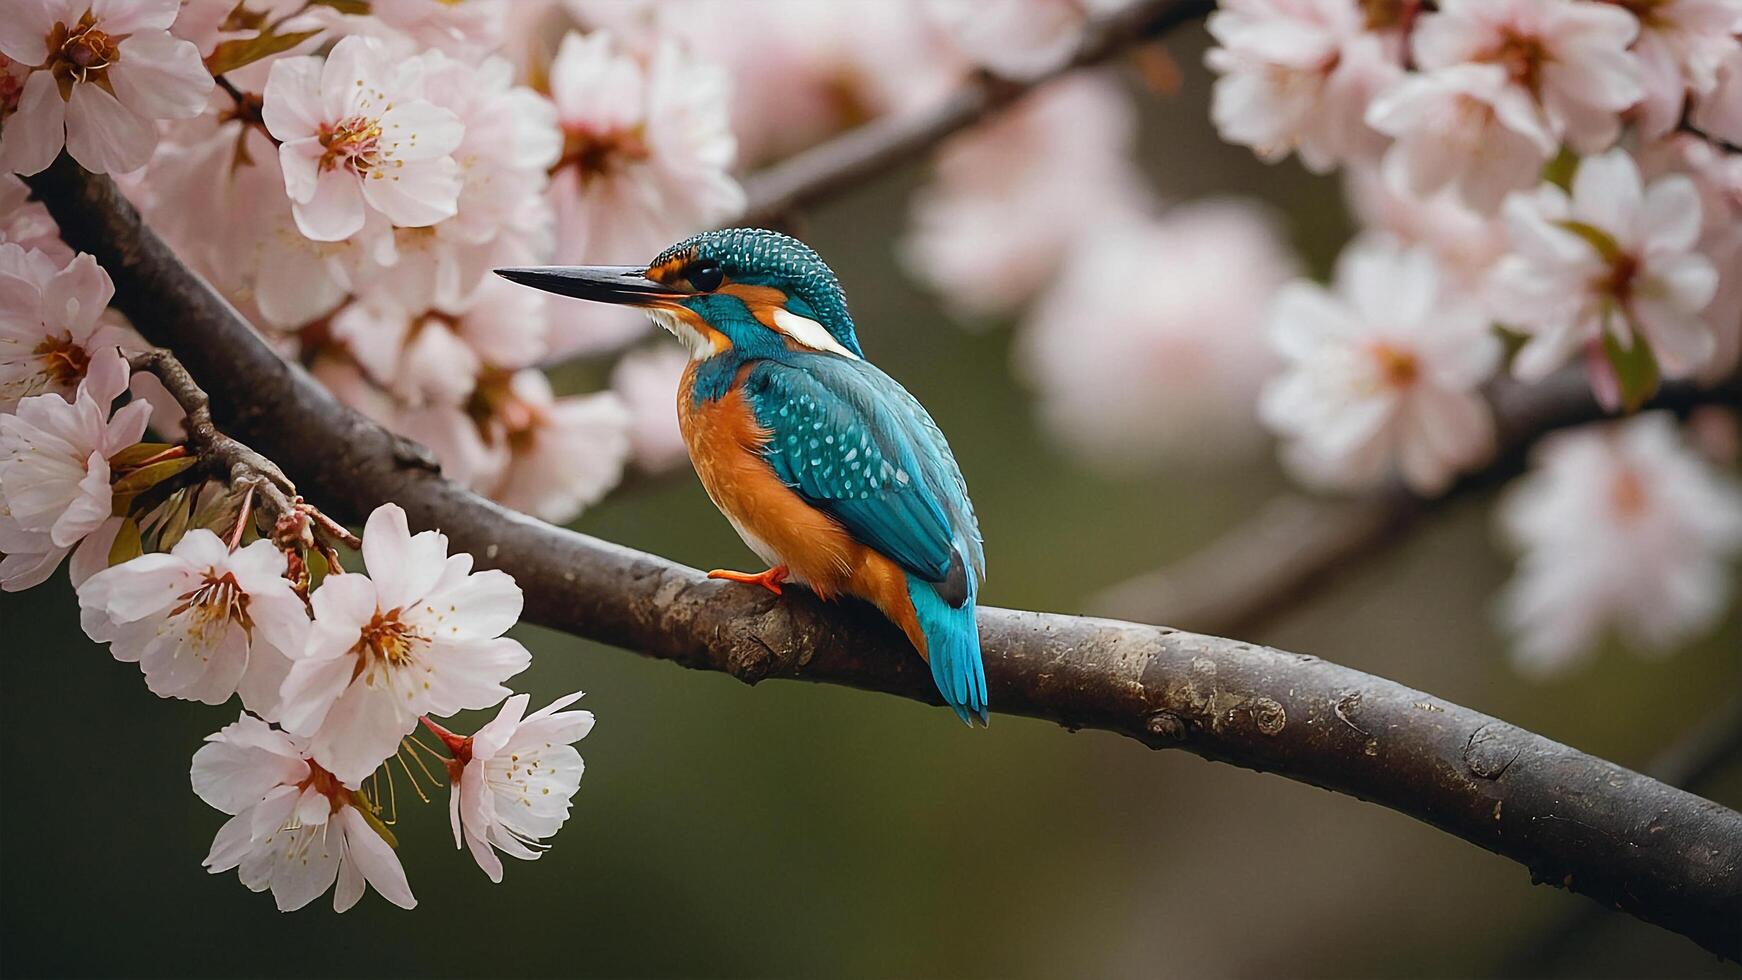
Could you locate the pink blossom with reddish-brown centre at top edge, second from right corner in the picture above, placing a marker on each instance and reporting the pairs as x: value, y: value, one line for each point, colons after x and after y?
x: 1565, y: 57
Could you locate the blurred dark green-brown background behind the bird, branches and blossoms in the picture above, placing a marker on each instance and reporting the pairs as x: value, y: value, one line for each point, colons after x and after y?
x: 797, y: 829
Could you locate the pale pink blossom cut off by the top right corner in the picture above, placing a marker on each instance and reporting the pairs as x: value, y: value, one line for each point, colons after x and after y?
x: 1682, y: 46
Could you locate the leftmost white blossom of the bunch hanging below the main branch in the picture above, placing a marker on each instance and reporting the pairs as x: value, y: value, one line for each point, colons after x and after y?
x: 203, y: 622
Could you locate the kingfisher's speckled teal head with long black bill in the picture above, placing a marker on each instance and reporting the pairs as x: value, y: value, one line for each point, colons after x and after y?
x: 738, y: 288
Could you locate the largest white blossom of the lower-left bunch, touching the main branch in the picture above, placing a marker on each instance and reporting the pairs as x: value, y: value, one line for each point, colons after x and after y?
x: 422, y: 633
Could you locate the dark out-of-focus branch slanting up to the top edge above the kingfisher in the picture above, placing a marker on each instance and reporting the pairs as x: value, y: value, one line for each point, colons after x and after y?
x: 877, y: 147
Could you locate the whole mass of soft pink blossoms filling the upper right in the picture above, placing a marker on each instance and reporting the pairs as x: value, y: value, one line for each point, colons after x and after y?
x: 1543, y: 187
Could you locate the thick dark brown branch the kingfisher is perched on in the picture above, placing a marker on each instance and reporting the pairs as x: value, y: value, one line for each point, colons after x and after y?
x: 1574, y: 821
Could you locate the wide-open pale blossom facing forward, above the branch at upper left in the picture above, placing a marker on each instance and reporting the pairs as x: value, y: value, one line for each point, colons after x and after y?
x: 360, y: 138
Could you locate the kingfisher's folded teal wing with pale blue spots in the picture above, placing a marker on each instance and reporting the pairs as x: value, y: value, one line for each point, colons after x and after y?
x: 860, y: 448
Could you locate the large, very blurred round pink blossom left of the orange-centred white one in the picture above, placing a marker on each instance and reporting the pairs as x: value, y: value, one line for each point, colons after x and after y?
x: 1130, y: 375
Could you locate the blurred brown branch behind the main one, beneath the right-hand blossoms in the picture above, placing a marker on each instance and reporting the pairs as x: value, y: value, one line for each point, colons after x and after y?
x: 1299, y: 547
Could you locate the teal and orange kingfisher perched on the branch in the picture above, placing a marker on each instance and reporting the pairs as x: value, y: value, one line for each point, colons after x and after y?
x: 828, y: 469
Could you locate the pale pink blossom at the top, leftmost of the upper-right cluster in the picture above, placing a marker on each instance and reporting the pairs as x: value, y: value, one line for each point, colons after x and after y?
x: 1297, y: 76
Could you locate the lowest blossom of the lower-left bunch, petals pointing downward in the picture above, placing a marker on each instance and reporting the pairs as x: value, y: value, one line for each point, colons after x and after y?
x: 294, y: 826
